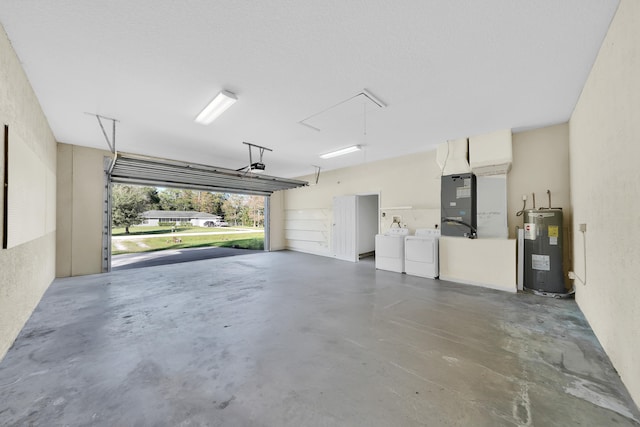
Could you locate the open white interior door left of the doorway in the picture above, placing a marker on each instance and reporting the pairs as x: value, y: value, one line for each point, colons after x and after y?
x: 344, y: 242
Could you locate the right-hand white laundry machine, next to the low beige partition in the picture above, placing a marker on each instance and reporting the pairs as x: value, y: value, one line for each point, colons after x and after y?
x: 421, y: 253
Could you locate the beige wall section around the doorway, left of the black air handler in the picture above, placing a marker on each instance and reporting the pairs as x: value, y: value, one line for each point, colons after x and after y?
x: 409, y: 181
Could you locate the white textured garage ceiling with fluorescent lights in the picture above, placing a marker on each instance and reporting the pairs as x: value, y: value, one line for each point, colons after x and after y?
x: 445, y: 69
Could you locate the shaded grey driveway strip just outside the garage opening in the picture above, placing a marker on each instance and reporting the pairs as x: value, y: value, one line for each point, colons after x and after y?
x: 148, y: 259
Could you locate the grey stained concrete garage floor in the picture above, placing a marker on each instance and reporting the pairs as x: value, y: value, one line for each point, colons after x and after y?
x: 288, y: 339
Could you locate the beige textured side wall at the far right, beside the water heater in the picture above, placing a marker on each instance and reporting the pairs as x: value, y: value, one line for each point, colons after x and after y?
x: 605, y: 193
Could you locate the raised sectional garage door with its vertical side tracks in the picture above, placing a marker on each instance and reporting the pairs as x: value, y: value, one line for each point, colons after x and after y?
x: 149, y: 171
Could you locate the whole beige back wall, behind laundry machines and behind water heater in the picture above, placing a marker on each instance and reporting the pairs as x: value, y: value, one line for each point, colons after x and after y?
x: 540, y: 162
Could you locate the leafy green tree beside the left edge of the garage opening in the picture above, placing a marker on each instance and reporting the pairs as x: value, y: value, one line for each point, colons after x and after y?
x: 128, y: 203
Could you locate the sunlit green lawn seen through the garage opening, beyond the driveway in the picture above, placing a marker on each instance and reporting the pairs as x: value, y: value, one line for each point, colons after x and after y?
x: 242, y: 241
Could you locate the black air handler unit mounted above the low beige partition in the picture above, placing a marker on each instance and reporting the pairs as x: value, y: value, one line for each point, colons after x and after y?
x: 458, y: 203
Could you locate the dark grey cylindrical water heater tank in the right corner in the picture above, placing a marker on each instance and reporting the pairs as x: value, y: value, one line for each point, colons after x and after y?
x: 543, y: 250
